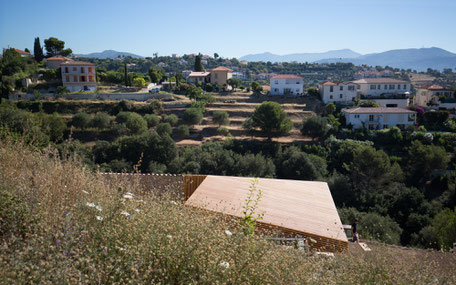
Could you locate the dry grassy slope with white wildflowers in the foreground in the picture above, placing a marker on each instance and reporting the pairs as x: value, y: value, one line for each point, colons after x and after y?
x: 60, y: 223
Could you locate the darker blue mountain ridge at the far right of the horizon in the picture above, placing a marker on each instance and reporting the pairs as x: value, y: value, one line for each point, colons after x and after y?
x: 418, y: 59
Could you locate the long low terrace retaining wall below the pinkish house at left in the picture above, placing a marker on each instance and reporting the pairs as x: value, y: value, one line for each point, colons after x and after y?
x: 119, y: 96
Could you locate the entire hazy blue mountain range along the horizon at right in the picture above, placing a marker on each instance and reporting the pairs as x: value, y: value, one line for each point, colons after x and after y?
x: 417, y: 59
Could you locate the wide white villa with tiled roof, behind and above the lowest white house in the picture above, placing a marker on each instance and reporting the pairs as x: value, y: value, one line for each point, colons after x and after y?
x: 381, y: 86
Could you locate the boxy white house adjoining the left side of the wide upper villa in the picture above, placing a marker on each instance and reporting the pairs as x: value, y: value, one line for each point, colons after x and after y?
x: 339, y: 92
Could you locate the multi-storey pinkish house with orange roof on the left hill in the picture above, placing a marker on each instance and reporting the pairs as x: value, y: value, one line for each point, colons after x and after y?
x: 79, y: 75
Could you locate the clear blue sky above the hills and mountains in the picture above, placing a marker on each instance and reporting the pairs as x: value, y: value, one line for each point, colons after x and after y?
x: 230, y: 28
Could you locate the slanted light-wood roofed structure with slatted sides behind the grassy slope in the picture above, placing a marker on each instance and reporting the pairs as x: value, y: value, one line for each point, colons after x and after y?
x: 293, y: 207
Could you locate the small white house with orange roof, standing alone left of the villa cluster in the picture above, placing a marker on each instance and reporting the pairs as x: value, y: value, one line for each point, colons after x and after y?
x: 287, y: 84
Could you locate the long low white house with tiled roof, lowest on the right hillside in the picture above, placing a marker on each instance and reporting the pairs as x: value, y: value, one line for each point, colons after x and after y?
x: 379, y: 118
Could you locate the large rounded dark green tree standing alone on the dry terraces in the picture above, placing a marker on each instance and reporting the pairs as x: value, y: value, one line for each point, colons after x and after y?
x: 271, y: 119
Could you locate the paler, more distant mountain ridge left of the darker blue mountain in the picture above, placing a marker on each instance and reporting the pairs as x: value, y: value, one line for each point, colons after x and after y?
x: 301, y: 57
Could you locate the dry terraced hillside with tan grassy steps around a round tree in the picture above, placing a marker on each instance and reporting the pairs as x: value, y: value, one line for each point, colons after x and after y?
x: 240, y: 107
